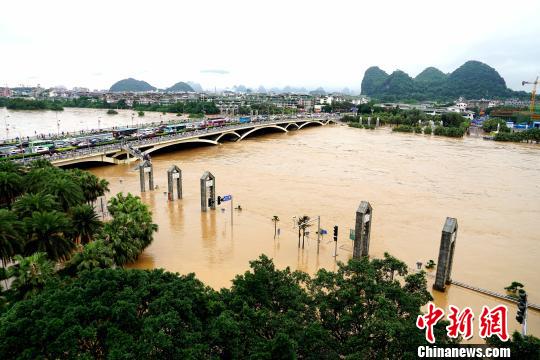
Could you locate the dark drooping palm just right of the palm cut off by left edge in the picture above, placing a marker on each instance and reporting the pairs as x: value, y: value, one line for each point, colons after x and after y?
x: 48, y: 232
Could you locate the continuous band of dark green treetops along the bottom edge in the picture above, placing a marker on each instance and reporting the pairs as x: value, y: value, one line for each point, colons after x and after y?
x: 367, y: 309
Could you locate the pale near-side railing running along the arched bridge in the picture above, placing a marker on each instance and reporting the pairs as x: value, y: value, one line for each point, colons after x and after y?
x: 103, y: 149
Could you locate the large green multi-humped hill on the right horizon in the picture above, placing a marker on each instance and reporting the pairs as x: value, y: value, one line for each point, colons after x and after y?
x: 472, y: 80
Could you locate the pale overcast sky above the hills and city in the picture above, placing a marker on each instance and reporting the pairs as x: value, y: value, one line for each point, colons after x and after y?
x: 267, y: 42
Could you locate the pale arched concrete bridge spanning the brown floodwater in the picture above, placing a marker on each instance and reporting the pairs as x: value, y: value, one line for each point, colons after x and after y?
x: 123, y: 153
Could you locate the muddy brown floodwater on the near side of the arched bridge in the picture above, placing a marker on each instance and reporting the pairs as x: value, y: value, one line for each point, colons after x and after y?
x: 412, y: 181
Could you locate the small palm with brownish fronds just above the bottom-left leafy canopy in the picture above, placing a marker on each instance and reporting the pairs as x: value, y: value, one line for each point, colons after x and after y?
x: 30, y: 274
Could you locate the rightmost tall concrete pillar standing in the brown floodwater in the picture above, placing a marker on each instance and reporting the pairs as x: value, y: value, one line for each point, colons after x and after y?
x: 446, y: 254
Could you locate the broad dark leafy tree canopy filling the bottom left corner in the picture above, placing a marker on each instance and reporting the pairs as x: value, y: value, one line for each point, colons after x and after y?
x: 112, y: 314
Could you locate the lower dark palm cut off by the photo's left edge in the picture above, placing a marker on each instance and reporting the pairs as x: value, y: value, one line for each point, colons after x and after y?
x: 10, y: 236
